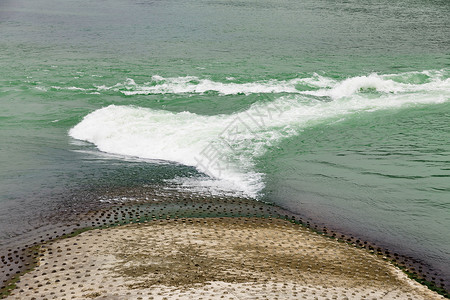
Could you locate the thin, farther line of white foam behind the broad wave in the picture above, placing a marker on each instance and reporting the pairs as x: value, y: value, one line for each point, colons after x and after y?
x: 316, y: 85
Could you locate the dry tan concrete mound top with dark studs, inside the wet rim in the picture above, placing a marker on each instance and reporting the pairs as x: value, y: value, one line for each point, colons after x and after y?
x: 212, y: 258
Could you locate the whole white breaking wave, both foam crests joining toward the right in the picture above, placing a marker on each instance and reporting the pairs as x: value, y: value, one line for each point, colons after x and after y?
x: 226, y: 147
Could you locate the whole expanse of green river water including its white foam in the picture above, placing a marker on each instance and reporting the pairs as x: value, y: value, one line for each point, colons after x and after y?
x: 338, y: 111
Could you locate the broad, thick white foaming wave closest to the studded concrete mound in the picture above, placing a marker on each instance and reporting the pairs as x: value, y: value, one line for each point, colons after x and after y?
x: 226, y: 147
